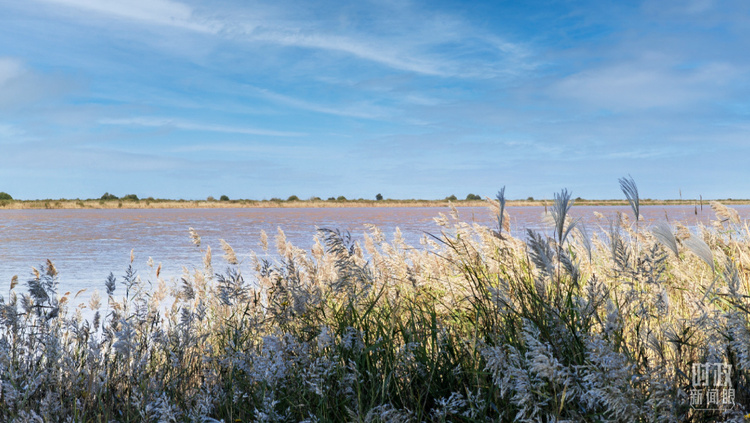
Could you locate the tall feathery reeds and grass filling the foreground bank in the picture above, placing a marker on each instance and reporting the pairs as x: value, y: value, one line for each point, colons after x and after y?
x: 473, y: 325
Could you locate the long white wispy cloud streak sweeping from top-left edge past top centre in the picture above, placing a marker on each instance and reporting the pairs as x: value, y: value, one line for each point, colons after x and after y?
x: 416, y: 50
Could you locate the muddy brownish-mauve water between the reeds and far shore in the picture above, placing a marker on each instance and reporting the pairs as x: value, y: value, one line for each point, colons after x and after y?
x: 86, y: 245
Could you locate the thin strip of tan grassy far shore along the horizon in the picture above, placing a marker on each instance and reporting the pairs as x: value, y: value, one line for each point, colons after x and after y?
x: 204, y: 204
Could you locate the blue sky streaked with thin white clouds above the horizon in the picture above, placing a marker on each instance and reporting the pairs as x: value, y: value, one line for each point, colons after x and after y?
x: 186, y: 99
